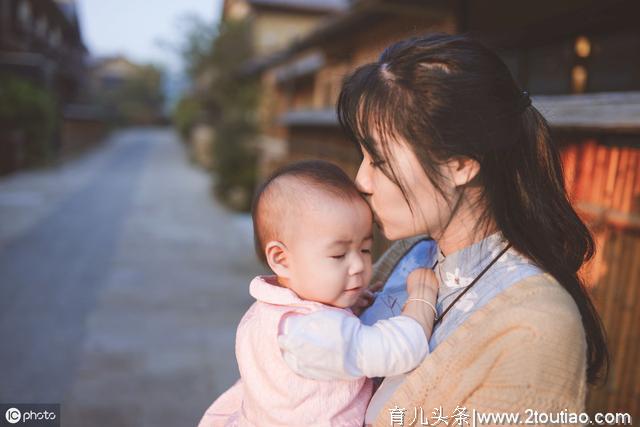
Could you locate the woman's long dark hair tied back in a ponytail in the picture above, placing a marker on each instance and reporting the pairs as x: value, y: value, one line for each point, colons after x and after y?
x: 449, y: 95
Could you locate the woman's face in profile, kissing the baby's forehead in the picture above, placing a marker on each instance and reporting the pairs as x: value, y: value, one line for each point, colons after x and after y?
x: 391, y: 211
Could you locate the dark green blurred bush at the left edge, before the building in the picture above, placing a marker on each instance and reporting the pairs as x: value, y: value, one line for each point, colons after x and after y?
x: 27, y: 108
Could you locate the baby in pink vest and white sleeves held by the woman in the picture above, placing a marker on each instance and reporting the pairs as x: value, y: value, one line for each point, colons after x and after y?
x: 304, y: 356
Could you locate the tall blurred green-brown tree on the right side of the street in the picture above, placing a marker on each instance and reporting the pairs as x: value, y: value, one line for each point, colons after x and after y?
x: 228, y: 102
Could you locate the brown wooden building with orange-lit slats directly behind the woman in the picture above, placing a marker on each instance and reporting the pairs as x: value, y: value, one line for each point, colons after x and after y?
x: 579, y: 60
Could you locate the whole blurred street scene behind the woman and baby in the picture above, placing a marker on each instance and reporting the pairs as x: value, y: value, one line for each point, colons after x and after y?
x: 132, y: 137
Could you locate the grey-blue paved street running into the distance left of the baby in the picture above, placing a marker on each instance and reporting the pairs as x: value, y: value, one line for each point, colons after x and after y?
x: 121, y: 285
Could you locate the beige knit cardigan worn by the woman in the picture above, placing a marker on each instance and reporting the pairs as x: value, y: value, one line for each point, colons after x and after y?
x: 523, y: 351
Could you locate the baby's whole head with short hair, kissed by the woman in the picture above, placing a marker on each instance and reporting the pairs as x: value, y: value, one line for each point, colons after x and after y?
x: 314, y: 230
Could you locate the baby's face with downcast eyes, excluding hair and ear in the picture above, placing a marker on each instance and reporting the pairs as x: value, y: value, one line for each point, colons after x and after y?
x: 331, y: 252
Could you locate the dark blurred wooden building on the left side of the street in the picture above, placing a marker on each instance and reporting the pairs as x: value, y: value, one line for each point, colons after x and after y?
x: 41, y: 43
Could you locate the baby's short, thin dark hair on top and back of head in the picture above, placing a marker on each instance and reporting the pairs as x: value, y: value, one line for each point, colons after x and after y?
x: 283, y: 195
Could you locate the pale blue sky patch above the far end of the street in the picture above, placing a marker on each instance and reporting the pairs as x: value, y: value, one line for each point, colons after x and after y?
x: 141, y: 30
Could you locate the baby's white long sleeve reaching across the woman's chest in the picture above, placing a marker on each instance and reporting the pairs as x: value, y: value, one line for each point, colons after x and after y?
x: 329, y: 344
